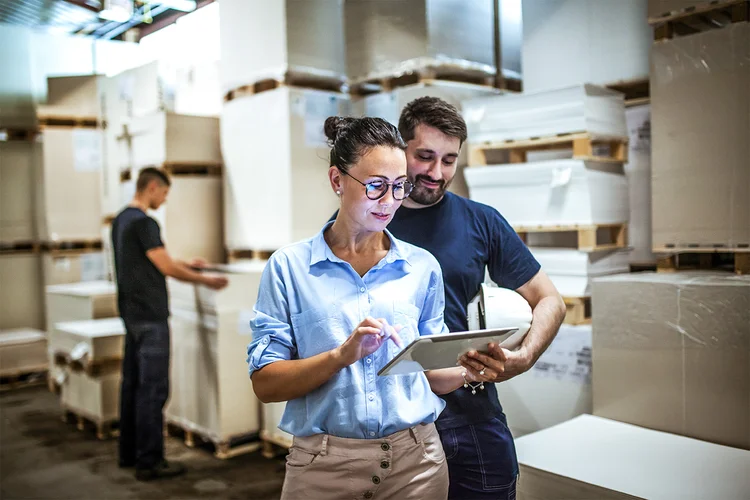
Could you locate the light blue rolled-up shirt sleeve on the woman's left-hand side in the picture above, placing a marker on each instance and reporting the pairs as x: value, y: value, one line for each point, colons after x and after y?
x: 272, y: 332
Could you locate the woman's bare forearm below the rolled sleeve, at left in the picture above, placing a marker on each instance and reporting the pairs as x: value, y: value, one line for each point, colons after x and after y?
x: 287, y: 380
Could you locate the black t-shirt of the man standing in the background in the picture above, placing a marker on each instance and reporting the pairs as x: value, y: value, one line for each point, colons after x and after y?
x: 141, y: 287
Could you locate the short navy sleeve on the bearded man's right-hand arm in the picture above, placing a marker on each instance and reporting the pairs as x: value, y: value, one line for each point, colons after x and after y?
x: 511, y: 264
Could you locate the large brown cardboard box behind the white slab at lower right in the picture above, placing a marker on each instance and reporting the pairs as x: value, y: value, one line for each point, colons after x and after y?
x: 671, y: 352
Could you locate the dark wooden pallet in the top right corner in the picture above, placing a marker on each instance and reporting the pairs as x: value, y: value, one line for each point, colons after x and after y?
x: 700, y: 18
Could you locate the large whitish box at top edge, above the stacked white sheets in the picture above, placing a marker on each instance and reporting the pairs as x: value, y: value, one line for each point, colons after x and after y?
x: 566, y: 43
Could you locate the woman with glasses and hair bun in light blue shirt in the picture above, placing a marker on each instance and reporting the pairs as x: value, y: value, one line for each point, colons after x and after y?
x: 331, y: 311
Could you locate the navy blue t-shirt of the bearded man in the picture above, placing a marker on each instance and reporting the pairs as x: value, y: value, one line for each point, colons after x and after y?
x: 465, y: 237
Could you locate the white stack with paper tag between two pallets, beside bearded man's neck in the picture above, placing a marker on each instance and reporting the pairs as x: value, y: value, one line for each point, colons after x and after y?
x: 564, y: 192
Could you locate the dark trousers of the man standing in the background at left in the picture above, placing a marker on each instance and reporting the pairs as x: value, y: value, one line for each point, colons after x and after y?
x: 143, y: 394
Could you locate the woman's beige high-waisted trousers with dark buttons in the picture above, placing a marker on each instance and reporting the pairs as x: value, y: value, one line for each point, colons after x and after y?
x: 408, y: 464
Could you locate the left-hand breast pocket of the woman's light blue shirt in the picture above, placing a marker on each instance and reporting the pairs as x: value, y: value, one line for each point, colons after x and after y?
x: 317, y: 330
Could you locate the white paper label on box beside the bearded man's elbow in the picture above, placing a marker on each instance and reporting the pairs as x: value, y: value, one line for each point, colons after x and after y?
x: 568, y: 358
